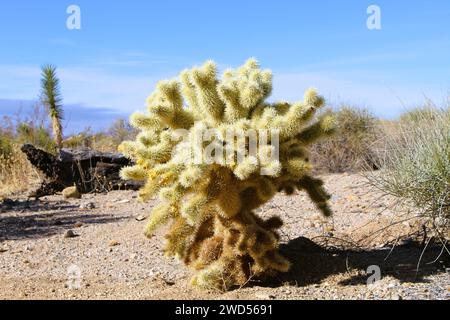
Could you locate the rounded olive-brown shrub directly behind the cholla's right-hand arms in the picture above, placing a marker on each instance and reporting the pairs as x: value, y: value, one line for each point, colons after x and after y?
x: 351, y: 149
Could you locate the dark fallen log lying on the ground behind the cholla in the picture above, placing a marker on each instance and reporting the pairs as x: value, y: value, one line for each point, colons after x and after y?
x: 88, y: 170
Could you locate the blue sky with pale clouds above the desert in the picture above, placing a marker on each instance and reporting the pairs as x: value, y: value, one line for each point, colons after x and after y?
x: 124, y: 47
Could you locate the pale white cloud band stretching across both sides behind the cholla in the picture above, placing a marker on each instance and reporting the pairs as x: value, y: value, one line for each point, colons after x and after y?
x: 99, y: 87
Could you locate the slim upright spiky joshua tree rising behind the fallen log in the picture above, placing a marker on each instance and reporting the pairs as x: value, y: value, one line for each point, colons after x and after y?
x: 51, y: 98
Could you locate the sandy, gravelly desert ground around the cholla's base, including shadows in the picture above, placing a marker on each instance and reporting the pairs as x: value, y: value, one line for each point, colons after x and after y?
x: 109, y: 258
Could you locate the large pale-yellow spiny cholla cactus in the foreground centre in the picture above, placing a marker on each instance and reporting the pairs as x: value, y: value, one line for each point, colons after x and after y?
x: 210, y: 204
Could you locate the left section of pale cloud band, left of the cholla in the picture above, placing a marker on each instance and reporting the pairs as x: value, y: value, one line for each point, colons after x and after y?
x: 80, y: 85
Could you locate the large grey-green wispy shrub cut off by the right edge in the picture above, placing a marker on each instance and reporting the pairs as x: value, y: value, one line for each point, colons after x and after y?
x: 415, y: 163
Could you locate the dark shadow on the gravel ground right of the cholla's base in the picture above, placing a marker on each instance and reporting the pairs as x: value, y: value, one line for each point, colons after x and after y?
x: 313, y: 263
